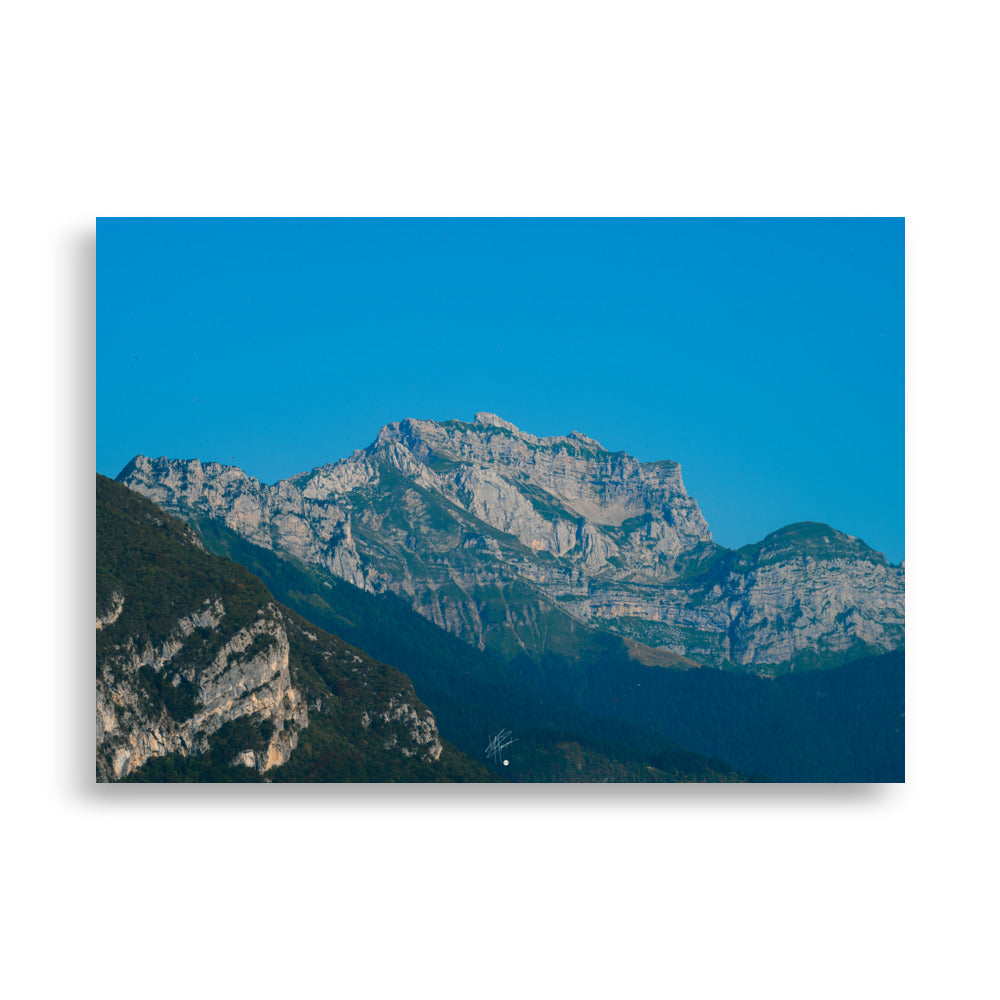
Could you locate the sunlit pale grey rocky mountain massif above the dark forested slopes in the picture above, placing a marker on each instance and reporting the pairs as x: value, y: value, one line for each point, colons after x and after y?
x: 493, y: 534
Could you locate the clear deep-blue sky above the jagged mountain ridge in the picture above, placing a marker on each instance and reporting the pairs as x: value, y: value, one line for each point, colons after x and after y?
x: 766, y: 356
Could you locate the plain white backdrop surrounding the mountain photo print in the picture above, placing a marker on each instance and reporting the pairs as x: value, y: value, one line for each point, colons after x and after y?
x: 719, y: 108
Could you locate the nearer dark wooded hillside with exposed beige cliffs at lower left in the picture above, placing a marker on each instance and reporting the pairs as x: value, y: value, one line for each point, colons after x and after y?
x: 194, y: 659
